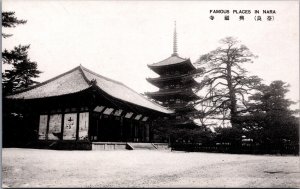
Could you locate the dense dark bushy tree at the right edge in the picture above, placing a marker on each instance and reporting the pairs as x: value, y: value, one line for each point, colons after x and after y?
x: 270, y: 120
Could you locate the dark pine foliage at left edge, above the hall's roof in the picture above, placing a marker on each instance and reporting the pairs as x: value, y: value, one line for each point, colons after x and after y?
x: 23, y: 70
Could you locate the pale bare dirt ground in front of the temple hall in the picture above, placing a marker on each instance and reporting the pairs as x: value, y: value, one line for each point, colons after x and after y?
x: 142, y: 168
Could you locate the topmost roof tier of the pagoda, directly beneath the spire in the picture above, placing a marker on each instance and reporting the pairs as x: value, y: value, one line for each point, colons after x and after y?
x: 172, y: 63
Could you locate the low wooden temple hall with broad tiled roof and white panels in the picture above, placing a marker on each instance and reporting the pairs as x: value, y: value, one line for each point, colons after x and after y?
x: 80, y: 106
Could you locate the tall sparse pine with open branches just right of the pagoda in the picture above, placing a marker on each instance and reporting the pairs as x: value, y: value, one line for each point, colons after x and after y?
x: 225, y: 84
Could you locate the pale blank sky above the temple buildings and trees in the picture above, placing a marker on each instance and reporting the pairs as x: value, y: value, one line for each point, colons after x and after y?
x: 118, y: 39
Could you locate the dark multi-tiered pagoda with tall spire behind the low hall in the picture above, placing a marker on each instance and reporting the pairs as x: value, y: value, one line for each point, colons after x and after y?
x: 175, y: 82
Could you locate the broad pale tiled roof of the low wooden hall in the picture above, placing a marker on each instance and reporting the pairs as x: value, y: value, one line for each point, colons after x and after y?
x: 79, y: 79
